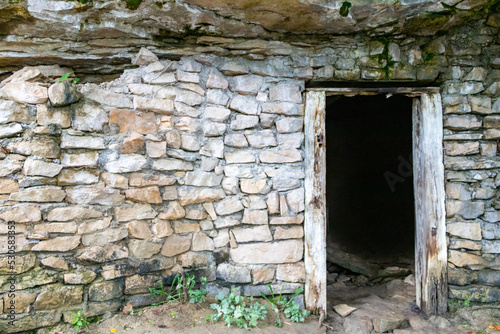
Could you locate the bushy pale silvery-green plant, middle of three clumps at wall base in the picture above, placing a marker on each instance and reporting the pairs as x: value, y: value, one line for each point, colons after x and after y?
x: 233, y: 309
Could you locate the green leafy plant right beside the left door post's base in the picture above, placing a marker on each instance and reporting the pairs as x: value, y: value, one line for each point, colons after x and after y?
x: 290, y: 308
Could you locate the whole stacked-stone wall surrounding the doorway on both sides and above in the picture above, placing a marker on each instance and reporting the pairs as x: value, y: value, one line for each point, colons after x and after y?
x: 197, y: 165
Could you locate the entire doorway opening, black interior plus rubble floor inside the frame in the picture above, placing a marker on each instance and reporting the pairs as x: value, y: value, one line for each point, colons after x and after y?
x: 370, y: 204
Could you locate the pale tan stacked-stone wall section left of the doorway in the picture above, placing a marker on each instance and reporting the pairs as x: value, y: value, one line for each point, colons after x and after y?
x: 155, y: 173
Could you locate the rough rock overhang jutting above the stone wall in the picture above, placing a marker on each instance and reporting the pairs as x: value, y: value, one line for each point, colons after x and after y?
x: 104, y: 34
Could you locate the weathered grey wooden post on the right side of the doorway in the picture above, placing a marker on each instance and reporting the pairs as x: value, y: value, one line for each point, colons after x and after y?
x: 430, y: 229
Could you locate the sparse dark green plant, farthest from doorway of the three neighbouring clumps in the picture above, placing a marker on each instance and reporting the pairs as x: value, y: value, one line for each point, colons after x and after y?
x: 181, y: 289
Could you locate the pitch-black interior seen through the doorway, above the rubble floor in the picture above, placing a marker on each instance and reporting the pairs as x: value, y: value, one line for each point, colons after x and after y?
x: 370, y: 198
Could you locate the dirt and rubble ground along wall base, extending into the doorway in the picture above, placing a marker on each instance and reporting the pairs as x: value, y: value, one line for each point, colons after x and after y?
x: 386, y: 306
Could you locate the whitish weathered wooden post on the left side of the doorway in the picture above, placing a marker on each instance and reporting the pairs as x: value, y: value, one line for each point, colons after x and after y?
x: 315, y: 196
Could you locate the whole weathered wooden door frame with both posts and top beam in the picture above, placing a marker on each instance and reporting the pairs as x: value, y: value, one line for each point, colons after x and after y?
x: 430, y: 223
